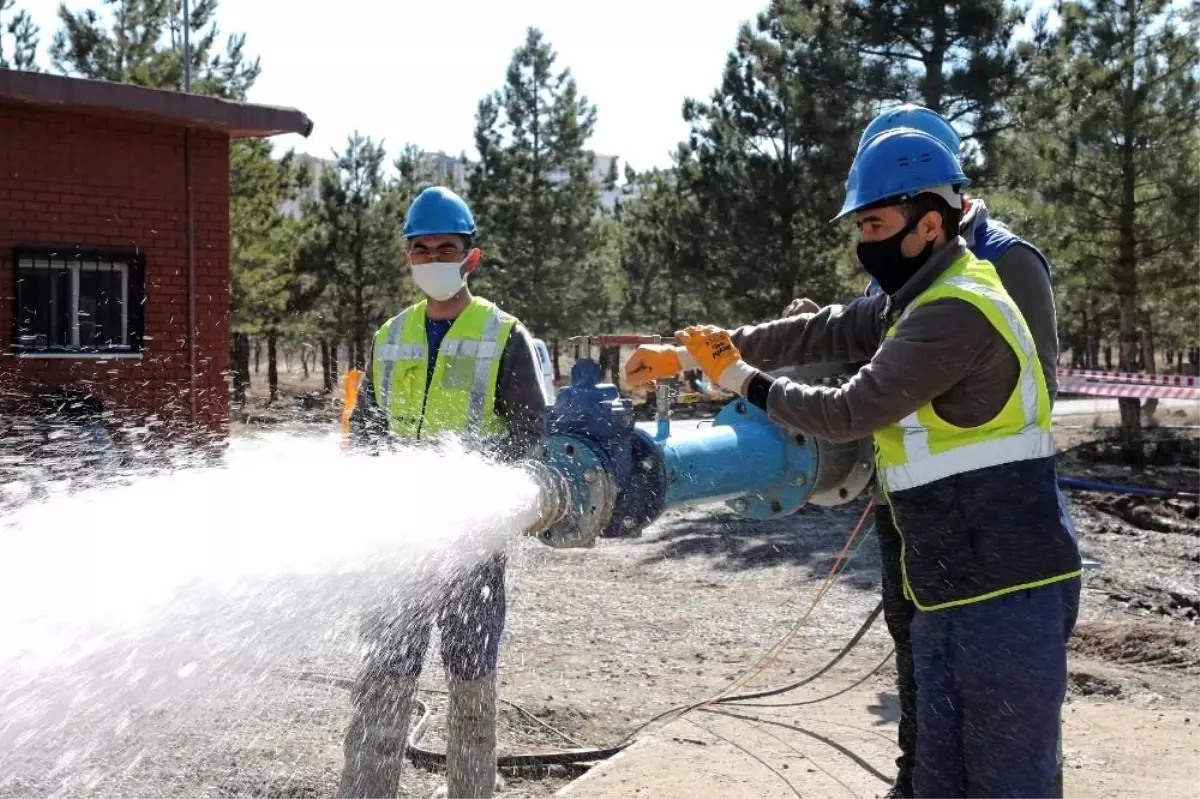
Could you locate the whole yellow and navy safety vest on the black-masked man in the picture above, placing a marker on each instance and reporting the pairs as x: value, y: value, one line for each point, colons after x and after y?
x: 923, y: 449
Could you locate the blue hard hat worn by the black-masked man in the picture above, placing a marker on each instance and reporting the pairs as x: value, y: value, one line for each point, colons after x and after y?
x: 901, y: 164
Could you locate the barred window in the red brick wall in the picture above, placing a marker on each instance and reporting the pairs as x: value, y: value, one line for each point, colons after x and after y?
x: 73, y: 301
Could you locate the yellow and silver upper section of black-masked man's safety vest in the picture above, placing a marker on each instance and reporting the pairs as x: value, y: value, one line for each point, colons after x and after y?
x: 923, y: 448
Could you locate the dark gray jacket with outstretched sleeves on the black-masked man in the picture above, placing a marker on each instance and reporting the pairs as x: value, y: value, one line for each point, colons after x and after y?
x: 946, y: 353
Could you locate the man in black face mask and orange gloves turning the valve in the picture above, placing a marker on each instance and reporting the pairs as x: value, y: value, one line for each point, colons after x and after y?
x: 955, y: 397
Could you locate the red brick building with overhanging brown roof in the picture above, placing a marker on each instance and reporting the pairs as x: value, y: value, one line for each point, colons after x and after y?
x: 115, y: 237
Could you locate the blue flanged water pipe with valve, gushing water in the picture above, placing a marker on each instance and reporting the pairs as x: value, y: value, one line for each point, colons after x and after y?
x: 603, y: 477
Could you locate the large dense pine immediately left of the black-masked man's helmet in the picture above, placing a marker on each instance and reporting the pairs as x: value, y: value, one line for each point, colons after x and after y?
x: 771, y: 153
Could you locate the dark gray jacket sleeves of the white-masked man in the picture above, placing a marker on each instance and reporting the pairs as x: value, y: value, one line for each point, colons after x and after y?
x: 520, y: 401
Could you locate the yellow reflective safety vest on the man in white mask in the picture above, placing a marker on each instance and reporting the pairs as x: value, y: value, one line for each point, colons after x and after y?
x: 461, y: 397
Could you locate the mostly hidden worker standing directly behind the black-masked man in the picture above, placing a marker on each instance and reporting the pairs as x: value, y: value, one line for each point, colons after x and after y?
x: 1025, y: 273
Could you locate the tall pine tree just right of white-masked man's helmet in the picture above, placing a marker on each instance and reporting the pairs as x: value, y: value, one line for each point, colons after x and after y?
x: 533, y: 195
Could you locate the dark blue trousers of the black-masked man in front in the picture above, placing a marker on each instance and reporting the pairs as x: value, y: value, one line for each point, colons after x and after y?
x: 992, y: 678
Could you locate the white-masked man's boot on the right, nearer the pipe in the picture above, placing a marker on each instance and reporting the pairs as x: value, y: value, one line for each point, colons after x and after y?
x: 471, y: 742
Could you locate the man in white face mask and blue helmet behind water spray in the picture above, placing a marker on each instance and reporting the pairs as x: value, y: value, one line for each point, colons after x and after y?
x: 453, y: 365
